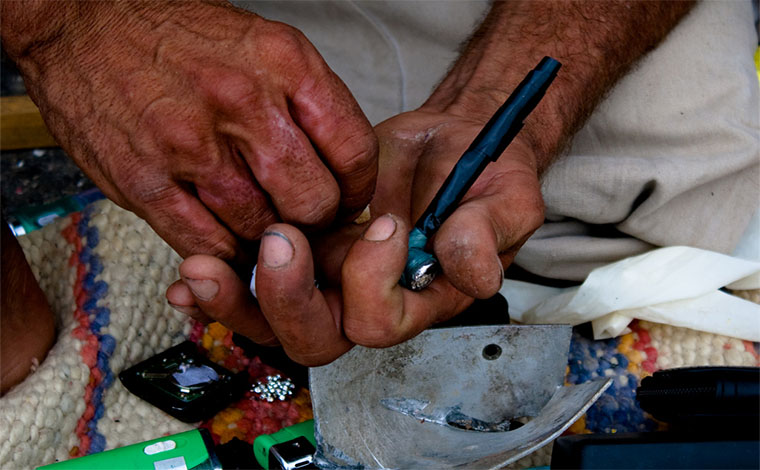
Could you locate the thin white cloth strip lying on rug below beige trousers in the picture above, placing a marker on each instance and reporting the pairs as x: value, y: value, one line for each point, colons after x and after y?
x: 675, y: 285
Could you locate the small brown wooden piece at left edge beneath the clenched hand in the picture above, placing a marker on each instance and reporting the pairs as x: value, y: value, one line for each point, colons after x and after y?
x: 21, y: 125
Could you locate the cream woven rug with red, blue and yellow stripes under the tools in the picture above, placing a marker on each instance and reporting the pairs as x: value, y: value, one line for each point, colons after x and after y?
x: 104, y: 272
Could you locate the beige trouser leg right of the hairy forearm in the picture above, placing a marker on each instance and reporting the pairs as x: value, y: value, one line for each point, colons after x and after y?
x: 671, y: 157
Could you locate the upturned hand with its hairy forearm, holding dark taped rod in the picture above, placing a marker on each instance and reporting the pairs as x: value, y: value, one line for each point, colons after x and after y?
x: 363, y: 302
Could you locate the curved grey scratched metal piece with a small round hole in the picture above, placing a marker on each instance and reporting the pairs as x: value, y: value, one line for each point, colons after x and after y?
x: 439, y: 399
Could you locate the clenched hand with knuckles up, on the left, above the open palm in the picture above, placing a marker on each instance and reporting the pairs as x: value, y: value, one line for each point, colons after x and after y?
x: 209, y: 122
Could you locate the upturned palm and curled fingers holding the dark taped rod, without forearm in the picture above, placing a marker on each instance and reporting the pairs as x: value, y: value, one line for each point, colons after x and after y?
x: 361, y: 301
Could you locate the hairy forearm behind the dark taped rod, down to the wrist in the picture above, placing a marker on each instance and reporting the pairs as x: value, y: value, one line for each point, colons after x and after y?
x: 596, y: 41
